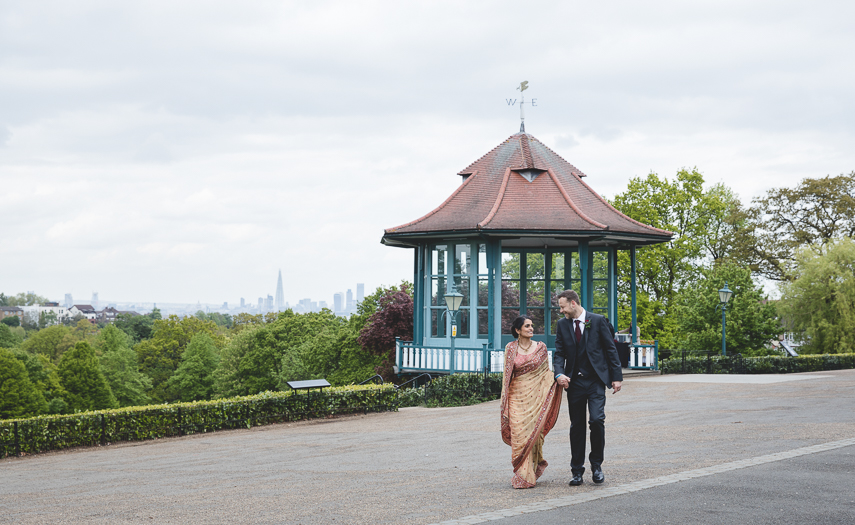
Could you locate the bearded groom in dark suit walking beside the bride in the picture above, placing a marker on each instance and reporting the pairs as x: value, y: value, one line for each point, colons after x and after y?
x: 585, y: 361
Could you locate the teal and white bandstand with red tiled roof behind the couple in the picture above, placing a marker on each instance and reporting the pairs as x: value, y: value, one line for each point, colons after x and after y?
x: 521, y: 227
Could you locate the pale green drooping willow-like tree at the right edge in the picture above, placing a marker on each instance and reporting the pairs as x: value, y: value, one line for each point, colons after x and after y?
x: 820, y: 301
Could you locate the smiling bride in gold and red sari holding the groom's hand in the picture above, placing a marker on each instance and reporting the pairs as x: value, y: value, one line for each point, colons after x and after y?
x: 530, y: 403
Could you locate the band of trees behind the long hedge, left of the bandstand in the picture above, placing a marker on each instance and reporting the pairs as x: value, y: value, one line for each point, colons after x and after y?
x: 148, y: 359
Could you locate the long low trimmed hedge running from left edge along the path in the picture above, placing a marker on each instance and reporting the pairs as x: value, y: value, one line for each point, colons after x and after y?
x: 101, y: 427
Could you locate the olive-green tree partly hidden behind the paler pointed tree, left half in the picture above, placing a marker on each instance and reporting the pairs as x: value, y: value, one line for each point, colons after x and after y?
x: 160, y: 356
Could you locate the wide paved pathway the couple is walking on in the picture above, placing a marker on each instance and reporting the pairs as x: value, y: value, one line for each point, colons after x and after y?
x: 431, y: 465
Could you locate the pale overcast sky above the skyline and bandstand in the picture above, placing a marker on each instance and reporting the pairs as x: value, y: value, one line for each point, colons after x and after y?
x: 183, y: 151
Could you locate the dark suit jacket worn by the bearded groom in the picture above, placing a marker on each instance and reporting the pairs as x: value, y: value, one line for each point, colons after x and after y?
x: 597, y: 340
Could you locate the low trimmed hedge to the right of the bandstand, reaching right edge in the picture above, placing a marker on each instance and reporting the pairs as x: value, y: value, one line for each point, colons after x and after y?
x: 736, y: 364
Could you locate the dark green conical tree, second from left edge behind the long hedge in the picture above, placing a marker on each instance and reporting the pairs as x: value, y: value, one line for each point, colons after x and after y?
x: 81, y: 377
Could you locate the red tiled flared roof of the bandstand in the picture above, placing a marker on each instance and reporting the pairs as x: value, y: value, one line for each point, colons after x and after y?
x: 496, y: 197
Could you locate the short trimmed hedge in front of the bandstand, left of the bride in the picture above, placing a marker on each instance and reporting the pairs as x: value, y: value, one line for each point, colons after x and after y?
x: 454, y: 390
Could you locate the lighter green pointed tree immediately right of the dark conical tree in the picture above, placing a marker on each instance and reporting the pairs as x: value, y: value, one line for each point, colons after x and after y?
x: 119, y: 366
